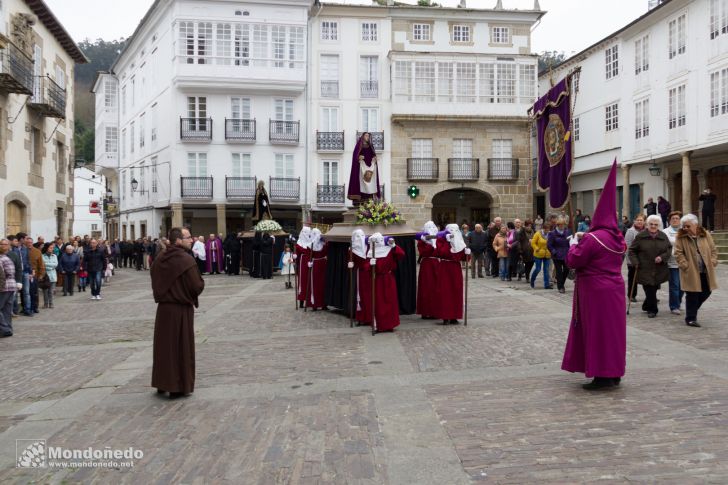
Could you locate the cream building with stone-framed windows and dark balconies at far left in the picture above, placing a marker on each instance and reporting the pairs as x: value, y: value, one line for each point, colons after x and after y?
x: 37, y: 57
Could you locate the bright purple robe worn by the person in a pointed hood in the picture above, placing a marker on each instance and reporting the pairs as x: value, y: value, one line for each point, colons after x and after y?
x: 597, y: 342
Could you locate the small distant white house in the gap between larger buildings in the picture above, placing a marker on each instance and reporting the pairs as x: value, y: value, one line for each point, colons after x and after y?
x: 89, y: 191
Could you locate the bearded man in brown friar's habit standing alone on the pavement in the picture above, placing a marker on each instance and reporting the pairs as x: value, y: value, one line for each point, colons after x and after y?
x: 176, y: 283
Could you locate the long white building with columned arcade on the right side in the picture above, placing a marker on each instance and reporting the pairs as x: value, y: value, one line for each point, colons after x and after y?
x: 654, y: 94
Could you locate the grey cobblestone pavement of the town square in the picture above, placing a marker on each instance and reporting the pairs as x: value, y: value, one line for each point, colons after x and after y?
x: 284, y: 396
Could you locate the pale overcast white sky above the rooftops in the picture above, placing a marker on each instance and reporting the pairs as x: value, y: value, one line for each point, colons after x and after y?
x: 569, y: 26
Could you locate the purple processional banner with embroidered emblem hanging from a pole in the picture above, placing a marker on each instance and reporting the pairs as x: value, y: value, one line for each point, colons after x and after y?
x: 553, y: 122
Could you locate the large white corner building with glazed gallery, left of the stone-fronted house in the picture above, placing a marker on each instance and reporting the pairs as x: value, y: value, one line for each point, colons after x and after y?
x: 210, y: 100
